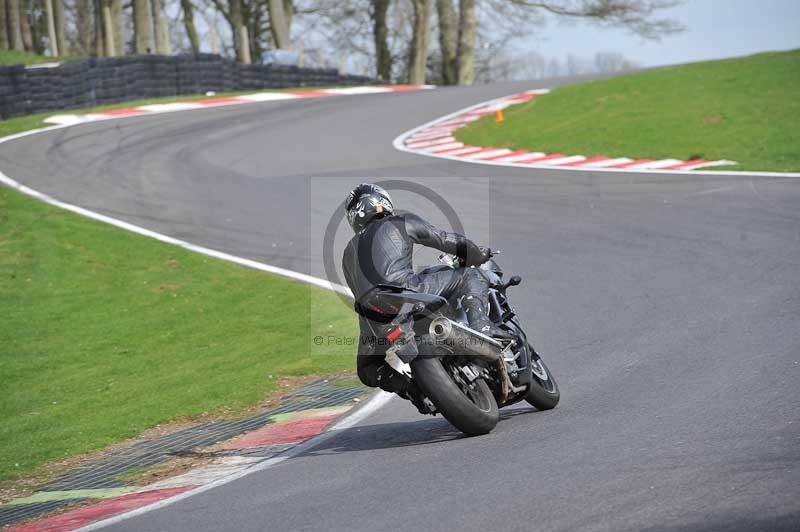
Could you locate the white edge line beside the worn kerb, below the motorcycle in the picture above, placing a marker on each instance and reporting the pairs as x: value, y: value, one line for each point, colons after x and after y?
x: 377, y: 401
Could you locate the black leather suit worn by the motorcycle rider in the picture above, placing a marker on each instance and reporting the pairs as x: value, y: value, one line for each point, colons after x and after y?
x: 382, y: 254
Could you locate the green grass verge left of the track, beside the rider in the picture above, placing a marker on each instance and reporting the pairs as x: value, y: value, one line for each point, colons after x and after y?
x: 106, y: 333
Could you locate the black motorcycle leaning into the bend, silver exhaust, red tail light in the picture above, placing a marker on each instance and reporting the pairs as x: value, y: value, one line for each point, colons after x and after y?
x: 465, y: 375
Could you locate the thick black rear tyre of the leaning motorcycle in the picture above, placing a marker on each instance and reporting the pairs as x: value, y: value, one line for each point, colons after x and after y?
x: 472, y: 410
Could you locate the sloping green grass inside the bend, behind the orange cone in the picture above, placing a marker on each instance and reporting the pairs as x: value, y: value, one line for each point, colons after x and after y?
x: 745, y: 109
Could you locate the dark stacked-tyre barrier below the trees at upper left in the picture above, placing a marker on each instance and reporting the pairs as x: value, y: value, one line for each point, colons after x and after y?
x: 102, y: 80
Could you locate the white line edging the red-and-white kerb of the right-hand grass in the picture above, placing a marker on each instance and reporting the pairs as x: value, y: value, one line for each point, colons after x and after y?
x: 399, y: 145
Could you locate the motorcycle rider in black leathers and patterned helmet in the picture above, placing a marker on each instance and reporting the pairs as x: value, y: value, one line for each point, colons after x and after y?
x: 381, y: 253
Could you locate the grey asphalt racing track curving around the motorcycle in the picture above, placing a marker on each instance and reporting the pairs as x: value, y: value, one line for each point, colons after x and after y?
x: 667, y: 306
